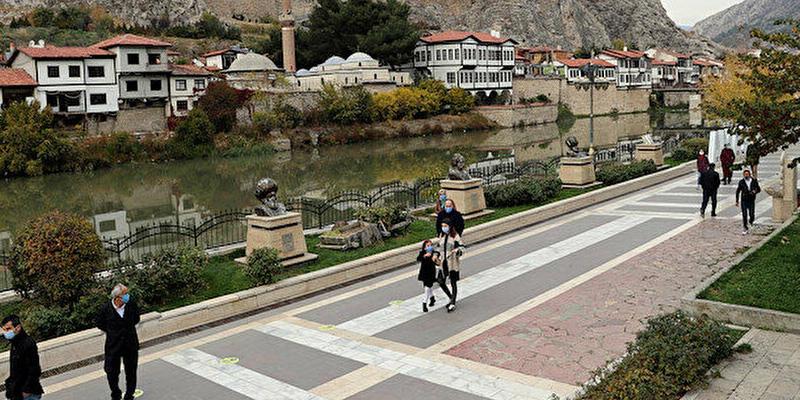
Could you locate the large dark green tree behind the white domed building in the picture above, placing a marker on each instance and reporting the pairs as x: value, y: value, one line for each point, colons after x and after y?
x: 381, y: 29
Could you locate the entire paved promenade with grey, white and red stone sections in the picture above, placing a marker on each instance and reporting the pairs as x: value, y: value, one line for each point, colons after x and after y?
x: 538, y: 310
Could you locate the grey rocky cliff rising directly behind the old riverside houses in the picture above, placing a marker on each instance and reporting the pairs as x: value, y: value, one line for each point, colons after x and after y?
x: 569, y: 23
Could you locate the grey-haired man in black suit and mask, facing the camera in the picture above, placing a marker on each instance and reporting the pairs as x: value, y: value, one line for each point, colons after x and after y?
x: 118, y: 319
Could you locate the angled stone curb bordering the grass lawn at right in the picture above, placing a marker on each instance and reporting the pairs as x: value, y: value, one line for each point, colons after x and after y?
x: 739, y: 314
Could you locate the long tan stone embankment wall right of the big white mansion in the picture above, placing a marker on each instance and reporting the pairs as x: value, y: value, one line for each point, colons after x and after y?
x: 606, y: 100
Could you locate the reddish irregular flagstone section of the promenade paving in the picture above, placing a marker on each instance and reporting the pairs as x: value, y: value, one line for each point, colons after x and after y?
x: 567, y: 337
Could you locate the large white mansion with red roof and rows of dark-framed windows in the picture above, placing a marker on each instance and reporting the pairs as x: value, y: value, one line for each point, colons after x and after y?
x: 481, y: 63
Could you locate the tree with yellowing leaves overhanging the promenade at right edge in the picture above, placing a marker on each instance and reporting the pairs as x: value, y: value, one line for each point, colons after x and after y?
x: 766, y: 110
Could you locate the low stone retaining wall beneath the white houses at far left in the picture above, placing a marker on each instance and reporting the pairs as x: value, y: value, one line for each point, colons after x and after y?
x: 133, y: 120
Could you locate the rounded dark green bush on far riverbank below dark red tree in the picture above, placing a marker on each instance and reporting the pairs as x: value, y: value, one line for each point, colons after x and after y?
x: 194, y: 136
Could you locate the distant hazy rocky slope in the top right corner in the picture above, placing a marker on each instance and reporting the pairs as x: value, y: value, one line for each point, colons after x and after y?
x: 731, y: 27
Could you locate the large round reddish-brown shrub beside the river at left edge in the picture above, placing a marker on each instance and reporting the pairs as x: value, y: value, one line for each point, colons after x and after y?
x: 54, y: 258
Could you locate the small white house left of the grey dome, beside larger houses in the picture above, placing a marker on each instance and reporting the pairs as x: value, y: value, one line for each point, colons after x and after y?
x: 186, y: 84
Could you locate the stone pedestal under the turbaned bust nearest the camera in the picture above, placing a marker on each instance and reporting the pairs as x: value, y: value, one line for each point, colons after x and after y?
x: 283, y: 233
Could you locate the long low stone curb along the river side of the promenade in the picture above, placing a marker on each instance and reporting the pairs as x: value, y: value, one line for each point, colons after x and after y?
x: 88, y: 344
